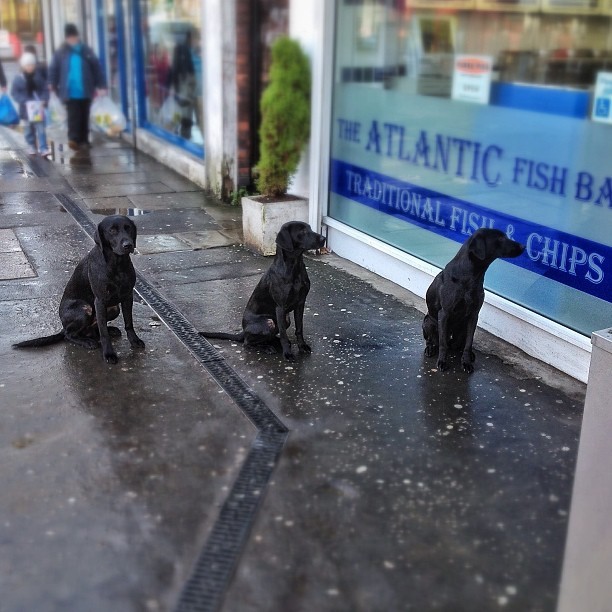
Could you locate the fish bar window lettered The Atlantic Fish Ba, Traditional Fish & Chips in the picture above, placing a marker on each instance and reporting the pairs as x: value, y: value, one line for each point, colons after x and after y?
x: 450, y: 116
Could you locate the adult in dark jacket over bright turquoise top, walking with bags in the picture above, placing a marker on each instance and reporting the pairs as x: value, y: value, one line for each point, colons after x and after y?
x: 75, y: 74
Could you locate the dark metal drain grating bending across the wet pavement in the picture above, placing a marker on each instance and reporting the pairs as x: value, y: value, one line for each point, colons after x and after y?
x: 214, y: 568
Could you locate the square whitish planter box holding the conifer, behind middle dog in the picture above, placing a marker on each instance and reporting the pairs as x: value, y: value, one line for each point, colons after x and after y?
x: 262, y: 218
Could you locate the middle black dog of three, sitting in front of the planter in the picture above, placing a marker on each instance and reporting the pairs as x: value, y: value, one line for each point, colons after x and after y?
x: 280, y: 291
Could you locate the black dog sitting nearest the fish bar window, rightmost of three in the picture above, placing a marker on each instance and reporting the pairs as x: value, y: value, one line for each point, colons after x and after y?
x: 456, y: 295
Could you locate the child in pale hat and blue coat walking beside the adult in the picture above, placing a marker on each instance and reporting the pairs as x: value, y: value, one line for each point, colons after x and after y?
x: 30, y: 86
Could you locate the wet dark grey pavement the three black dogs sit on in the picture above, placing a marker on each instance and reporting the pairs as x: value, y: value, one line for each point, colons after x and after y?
x: 398, y: 488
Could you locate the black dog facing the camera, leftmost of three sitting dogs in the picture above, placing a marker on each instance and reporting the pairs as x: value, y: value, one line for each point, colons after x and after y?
x: 102, y: 280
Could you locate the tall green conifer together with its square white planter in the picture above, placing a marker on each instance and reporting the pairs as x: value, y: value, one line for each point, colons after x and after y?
x: 284, y: 132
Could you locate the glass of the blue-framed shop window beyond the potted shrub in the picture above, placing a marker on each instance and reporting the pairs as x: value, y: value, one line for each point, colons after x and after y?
x: 173, y: 67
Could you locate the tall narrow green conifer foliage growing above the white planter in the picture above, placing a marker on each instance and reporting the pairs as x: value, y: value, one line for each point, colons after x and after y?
x: 285, y: 124
